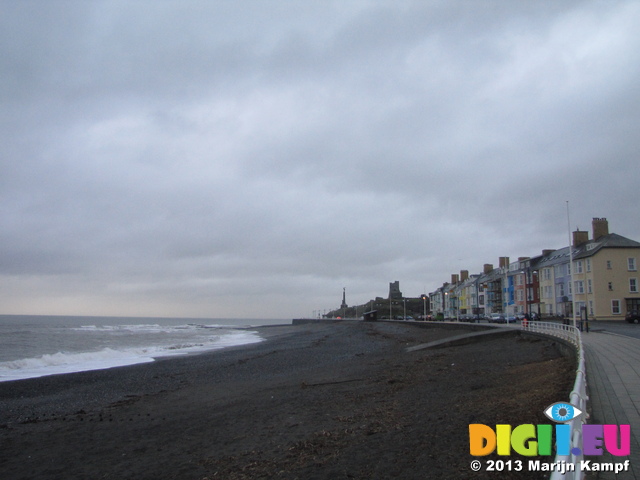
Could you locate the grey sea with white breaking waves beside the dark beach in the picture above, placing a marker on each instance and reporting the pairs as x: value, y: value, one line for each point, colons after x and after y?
x: 36, y: 346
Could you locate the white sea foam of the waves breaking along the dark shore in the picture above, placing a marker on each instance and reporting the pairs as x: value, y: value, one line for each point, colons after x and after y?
x: 66, y: 362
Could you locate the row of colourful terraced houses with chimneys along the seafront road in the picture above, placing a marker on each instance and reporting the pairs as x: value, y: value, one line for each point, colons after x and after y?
x: 604, y: 286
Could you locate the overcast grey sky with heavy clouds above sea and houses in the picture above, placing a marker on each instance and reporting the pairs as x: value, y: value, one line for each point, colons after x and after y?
x: 252, y: 158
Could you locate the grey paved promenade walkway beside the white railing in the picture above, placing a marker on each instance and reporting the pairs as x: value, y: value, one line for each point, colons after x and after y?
x: 613, y: 383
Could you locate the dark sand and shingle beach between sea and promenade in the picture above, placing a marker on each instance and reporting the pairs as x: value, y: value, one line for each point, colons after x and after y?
x: 322, y: 401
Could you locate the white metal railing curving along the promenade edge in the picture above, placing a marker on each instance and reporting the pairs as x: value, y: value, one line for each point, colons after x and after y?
x: 578, y: 396
